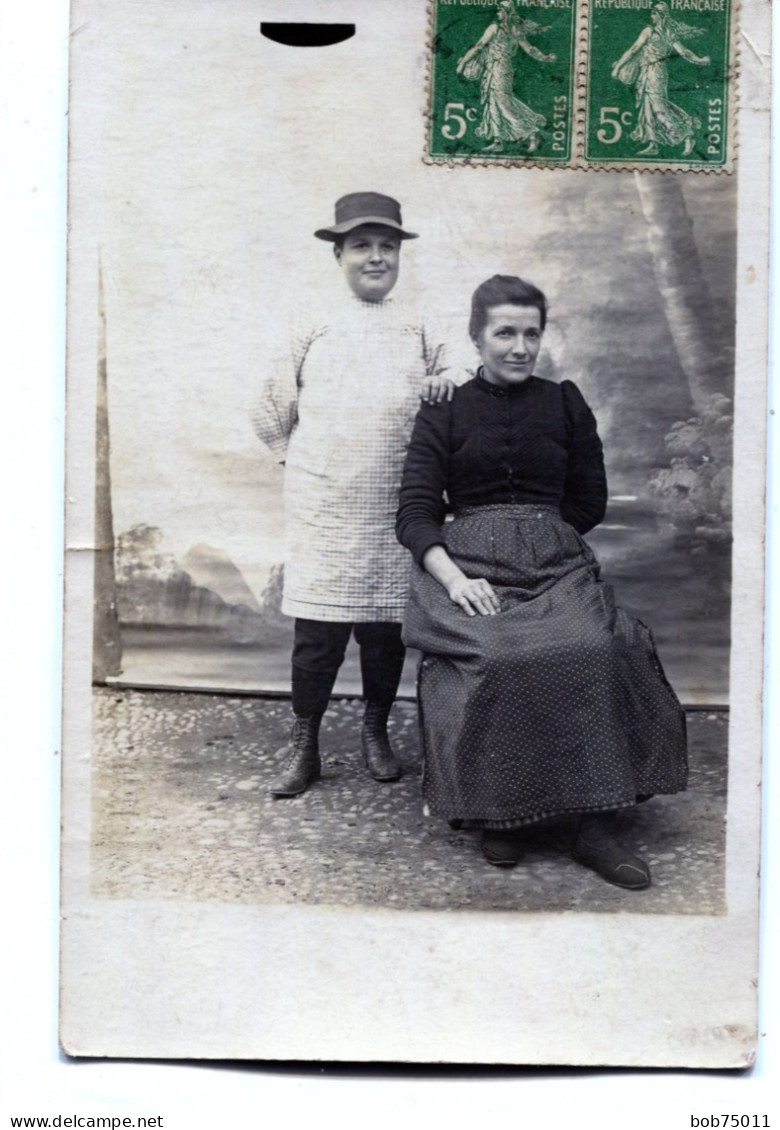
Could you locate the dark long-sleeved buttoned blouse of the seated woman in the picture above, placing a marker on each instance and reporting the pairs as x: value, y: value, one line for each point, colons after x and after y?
x: 534, y: 442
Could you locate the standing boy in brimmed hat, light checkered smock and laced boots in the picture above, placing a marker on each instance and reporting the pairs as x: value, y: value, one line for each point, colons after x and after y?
x: 337, y: 410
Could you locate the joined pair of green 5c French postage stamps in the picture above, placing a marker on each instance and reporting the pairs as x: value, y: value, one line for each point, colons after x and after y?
x: 629, y: 84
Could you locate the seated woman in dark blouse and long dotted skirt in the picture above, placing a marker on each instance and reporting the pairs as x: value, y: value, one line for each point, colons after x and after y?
x: 539, y: 697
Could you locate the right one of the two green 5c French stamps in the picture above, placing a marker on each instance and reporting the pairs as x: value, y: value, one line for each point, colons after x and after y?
x: 660, y: 84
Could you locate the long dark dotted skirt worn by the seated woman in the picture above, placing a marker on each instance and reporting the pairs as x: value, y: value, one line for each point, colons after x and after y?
x: 557, y: 705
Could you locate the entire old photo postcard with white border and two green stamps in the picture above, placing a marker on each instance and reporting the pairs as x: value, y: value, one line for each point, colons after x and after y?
x: 417, y: 399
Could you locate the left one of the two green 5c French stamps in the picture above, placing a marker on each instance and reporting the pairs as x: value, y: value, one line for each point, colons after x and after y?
x: 502, y: 82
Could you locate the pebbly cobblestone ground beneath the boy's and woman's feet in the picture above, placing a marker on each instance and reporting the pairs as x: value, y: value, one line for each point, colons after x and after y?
x: 183, y: 811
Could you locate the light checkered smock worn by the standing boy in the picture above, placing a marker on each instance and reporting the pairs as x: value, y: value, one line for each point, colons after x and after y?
x: 339, y: 410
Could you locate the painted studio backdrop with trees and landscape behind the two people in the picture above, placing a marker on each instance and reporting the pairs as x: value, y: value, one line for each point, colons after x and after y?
x: 205, y: 220
